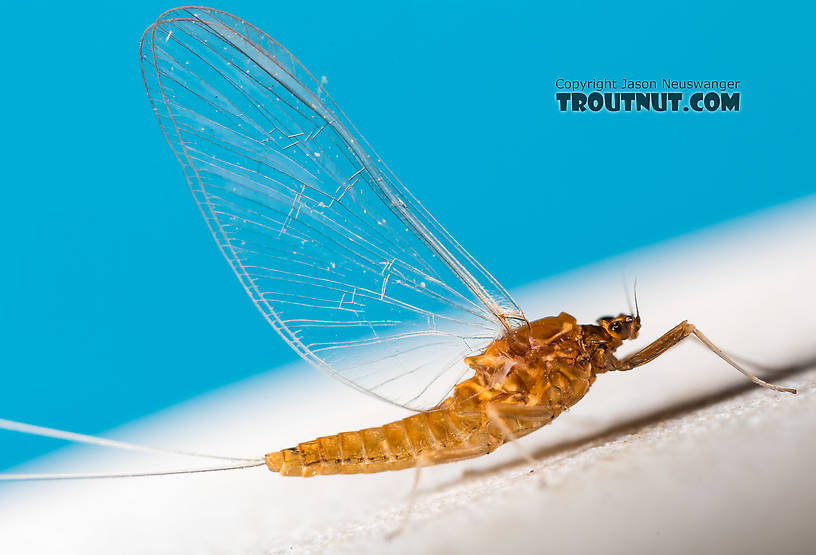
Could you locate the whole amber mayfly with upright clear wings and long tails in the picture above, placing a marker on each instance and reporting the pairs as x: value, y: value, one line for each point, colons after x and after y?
x: 350, y: 269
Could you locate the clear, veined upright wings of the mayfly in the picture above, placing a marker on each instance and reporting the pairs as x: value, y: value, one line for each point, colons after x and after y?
x: 339, y: 257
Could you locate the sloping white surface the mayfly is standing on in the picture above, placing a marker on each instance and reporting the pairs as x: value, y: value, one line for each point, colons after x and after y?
x: 617, y: 474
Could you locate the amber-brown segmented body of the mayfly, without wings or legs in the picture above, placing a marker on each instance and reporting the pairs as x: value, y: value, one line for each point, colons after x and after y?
x: 522, y: 382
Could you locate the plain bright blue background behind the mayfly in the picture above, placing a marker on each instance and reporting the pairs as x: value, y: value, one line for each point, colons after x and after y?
x: 116, y: 302
